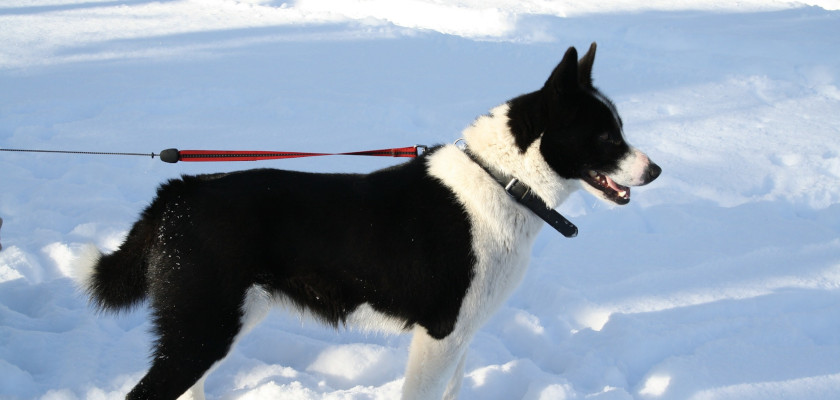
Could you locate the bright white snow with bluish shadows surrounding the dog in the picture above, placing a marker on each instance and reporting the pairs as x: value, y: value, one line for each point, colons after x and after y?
x: 721, y: 280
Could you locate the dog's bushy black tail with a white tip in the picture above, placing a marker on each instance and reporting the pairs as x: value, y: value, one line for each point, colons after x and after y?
x: 117, y: 281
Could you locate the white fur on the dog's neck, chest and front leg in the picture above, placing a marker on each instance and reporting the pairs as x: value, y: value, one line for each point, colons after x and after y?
x: 503, y: 233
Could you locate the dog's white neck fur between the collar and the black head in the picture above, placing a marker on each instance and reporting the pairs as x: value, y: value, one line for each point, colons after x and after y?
x: 491, y: 142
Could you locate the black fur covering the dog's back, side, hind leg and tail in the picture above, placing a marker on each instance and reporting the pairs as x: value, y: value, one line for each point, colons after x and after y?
x: 396, y: 239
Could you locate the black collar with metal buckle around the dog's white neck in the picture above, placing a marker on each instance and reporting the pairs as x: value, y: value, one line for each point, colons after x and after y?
x: 525, y: 196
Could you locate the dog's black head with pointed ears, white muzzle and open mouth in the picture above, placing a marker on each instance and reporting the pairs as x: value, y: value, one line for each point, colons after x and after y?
x: 579, y: 132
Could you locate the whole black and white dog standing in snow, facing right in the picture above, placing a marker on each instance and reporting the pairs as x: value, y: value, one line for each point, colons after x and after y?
x: 433, y: 246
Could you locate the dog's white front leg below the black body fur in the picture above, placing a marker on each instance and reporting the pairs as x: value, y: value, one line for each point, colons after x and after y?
x: 434, y: 366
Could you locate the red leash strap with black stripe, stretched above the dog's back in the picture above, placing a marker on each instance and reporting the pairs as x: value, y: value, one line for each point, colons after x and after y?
x: 175, y: 155
